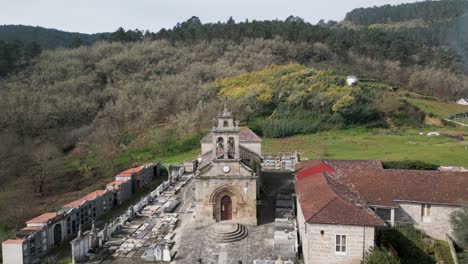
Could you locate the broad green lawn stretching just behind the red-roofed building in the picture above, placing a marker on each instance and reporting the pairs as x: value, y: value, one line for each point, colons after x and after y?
x: 374, y: 144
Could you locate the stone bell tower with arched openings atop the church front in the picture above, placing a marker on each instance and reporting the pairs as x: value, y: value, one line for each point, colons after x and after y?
x: 225, y: 133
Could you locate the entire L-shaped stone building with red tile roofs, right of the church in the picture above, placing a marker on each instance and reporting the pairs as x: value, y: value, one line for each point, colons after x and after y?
x: 342, y: 202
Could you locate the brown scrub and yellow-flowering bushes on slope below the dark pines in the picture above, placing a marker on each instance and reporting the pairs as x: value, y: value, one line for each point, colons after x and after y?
x: 75, y: 117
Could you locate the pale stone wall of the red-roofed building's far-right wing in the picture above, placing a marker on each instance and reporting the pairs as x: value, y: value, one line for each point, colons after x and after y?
x: 439, y: 223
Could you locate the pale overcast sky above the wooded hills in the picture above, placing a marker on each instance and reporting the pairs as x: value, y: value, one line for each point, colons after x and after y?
x: 91, y: 16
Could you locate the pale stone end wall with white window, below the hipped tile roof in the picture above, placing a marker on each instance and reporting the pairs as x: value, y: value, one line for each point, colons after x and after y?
x: 318, y: 241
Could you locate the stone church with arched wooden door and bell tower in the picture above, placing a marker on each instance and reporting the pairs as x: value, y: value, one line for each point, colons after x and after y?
x: 226, y: 181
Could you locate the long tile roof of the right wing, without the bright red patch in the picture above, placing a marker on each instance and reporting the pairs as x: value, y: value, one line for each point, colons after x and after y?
x: 384, y: 187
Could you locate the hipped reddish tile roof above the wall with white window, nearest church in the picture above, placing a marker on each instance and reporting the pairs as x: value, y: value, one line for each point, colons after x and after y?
x: 324, y: 201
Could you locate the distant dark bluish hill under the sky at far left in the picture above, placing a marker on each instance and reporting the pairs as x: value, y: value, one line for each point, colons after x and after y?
x: 47, y: 38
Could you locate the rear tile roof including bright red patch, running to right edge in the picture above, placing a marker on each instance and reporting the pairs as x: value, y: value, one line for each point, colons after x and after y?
x: 382, y: 187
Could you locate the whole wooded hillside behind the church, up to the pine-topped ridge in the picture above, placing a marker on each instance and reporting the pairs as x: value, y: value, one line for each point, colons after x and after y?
x: 72, y: 117
